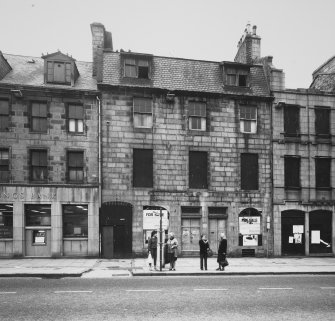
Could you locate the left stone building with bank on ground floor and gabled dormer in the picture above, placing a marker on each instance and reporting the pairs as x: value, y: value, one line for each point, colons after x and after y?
x: 49, y: 200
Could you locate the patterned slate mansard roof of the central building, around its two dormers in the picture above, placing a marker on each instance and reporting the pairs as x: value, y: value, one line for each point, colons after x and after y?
x: 175, y: 74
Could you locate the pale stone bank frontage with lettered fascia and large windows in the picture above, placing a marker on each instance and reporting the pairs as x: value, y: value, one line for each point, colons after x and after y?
x: 49, y: 221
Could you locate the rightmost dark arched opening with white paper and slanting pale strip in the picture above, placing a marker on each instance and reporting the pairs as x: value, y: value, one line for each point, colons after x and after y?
x: 320, y: 226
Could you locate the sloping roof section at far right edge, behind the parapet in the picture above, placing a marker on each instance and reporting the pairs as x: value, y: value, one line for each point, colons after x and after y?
x: 324, y: 76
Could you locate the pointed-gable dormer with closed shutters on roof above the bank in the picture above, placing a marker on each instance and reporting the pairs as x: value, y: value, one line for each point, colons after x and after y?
x: 60, y: 69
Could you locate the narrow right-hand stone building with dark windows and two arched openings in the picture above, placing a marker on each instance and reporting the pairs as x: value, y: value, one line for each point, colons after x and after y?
x: 303, y: 165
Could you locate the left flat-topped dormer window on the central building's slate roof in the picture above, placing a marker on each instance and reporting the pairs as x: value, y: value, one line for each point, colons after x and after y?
x: 136, y: 66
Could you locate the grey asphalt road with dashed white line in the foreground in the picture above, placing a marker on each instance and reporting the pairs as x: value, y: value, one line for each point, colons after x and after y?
x: 169, y: 298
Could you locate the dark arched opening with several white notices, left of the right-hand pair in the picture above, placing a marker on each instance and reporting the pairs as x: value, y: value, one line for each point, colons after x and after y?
x: 293, y: 232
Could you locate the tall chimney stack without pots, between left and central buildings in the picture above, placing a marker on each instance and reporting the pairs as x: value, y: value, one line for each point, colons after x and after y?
x: 101, y: 39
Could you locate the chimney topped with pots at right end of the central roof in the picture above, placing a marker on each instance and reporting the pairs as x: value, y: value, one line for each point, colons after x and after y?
x: 249, y: 46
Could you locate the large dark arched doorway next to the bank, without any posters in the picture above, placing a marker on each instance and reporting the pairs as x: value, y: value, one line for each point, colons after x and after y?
x: 116, y: 230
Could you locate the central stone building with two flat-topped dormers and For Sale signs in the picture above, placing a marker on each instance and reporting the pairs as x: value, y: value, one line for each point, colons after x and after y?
x: 191, y: 136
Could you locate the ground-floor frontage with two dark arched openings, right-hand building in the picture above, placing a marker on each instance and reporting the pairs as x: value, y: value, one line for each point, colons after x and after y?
x: 304, y: 230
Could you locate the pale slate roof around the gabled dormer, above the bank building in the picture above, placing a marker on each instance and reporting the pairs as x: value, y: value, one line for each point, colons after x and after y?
x: 25, y: 73
